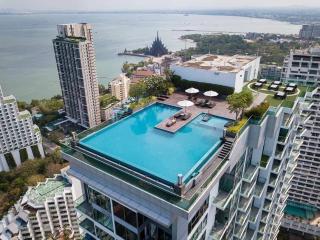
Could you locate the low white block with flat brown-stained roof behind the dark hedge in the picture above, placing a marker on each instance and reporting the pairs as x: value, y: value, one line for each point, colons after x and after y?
x: 229, y: 71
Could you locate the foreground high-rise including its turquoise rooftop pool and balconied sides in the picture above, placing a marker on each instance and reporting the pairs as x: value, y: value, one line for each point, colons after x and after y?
x: 141, y: 179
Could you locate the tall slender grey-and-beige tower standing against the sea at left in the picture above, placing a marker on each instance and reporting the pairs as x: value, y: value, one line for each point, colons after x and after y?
x: 76, y: 65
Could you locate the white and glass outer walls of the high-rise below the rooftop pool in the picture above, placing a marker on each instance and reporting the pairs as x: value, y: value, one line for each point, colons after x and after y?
x: 256, y: 166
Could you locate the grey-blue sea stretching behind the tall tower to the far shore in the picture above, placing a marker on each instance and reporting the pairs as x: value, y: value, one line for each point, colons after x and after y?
x: 27, y: 63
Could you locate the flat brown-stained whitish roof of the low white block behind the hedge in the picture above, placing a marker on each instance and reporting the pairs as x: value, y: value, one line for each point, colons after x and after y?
x: 220, y: 63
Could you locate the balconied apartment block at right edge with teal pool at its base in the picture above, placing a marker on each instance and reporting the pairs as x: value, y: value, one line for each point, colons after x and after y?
x: 302, y: 213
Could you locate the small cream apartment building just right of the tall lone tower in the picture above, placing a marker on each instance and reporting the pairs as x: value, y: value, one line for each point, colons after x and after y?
x: 119, y: 87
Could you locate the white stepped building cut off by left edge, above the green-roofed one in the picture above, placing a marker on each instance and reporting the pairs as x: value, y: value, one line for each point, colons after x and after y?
x: 19, y: 137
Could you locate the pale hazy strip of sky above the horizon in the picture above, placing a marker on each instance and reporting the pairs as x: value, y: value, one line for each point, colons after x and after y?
x: 105, y: 5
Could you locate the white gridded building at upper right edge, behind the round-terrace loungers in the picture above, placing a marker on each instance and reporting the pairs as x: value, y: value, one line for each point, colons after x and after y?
x: 302, y: 67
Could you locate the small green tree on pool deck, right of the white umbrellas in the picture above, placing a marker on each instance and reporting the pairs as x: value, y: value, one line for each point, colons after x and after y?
x: 238, y: 102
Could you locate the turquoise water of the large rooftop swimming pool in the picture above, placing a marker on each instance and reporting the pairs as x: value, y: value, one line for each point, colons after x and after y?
x: 135, y: 142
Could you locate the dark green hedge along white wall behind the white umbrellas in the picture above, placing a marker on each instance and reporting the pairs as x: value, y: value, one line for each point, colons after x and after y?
x: 185, y: 84
